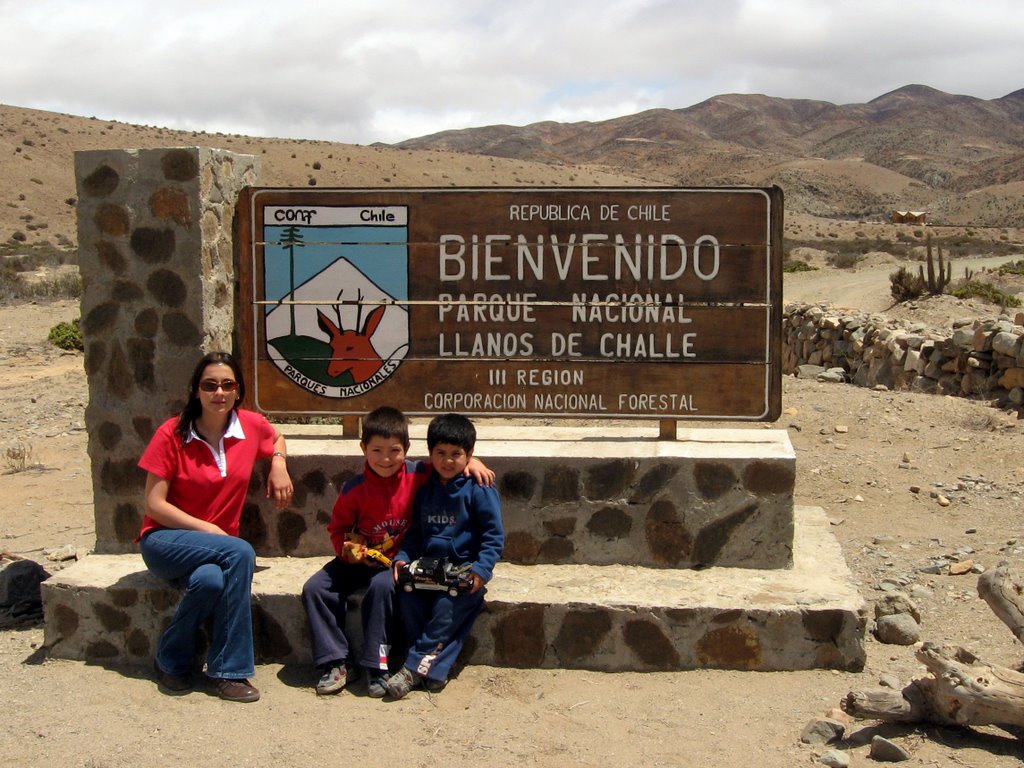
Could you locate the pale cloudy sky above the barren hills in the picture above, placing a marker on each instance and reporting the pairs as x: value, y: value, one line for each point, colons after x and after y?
x: 364, y: 71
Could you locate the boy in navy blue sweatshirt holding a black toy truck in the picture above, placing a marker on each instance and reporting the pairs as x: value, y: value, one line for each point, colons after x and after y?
x: 456, y: 519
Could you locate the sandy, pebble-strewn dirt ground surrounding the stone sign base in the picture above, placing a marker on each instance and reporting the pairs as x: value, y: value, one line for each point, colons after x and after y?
x: 861, y: 456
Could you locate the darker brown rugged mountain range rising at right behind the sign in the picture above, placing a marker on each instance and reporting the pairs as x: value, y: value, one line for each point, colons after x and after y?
x: 913, y: 148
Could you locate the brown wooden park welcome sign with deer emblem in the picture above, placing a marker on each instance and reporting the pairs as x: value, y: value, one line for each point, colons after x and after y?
x: 661, y: 304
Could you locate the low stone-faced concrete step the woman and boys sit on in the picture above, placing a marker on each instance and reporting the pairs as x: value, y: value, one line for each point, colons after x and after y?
x: 612, y: 618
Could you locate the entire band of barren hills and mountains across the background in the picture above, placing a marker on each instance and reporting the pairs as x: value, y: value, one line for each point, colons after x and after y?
x: 843, y: 168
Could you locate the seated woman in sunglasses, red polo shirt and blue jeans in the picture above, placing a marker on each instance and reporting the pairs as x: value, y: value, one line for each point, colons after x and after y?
x: 199, y: 465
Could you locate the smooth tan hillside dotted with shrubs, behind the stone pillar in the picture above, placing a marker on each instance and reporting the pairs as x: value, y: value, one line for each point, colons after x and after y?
x: 37, y: 167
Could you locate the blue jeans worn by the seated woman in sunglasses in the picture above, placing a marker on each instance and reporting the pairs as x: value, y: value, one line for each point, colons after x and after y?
x: 217, y: 573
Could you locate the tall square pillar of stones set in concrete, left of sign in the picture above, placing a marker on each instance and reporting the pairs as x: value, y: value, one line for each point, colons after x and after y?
x: 156, y: 252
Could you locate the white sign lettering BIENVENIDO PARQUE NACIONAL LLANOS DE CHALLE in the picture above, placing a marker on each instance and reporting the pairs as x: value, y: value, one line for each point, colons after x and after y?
x: 591, y: 258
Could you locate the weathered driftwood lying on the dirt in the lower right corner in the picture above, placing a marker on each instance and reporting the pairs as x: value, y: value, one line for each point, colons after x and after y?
x: 963, y: 690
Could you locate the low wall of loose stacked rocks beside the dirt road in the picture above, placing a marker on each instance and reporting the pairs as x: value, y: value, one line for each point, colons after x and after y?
x: 976, y: 358
